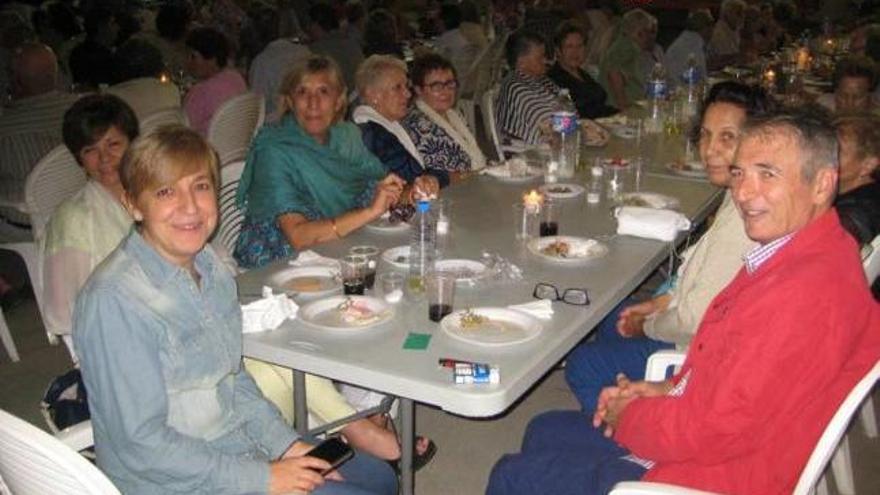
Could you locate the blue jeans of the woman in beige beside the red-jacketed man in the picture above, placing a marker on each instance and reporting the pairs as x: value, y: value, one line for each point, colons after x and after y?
x: 594, y: 365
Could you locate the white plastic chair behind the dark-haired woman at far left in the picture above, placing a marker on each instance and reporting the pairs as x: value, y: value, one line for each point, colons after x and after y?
x: 55, y: 178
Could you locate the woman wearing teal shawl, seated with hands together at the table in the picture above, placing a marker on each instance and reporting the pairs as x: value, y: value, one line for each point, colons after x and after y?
x: 309, y: 179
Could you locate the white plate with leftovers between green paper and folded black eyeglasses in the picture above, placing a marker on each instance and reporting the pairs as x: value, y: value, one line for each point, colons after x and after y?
x: 491, y: 326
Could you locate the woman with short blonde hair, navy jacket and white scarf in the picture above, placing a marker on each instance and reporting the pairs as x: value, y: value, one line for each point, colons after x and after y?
x: 383, y: 87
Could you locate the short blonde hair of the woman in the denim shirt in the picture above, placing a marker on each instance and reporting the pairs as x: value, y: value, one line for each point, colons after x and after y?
x: 163, y: 157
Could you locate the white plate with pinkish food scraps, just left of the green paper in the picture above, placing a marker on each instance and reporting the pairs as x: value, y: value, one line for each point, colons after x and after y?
x: 346, y: 312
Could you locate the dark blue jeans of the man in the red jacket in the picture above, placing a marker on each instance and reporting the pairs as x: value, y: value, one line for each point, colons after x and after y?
x: 563, y: 454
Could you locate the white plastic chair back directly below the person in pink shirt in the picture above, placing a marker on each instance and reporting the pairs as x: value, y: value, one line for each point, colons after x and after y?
x: 234, y: 124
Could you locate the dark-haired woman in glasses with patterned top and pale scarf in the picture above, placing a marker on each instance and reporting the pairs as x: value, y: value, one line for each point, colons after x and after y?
x: 438, y: 131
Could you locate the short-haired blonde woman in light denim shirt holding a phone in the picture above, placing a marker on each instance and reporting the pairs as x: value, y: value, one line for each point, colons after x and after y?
x: 158, y: 330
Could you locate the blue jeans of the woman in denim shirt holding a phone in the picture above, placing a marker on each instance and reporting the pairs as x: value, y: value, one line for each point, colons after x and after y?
x: 364, y: 475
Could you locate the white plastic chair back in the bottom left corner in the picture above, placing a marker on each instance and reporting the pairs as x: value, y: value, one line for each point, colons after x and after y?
x: 32, y: 462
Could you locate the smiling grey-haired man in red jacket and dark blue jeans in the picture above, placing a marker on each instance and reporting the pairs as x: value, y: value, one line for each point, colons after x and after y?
x: 777, y: 350
